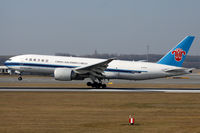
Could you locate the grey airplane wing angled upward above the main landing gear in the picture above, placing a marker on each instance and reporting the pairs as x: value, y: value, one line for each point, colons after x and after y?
x: 96, y: 69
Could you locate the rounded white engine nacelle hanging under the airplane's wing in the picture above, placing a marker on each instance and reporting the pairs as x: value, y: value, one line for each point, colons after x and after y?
x: 64, y: 74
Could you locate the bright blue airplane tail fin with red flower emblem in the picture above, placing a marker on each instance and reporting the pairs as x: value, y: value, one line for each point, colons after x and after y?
x: 176, y: 56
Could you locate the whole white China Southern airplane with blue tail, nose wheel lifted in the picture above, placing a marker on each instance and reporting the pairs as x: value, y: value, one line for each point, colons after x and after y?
x: 98, y: 70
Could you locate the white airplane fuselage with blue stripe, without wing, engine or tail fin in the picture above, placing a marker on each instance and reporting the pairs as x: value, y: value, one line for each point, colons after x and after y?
x: 117, y: 69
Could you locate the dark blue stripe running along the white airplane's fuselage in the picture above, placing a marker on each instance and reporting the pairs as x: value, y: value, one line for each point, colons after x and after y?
x: 66, y: 66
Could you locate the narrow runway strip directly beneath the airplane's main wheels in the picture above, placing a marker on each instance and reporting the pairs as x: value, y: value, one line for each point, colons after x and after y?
x: 164, y: 90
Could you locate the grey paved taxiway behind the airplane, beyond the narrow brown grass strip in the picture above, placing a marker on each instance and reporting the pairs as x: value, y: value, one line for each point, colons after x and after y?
x: 188, y: 79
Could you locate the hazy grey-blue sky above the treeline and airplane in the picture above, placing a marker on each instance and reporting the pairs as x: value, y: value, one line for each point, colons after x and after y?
x: 108, y: 26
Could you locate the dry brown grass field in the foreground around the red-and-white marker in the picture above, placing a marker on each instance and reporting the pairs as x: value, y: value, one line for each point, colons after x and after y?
x: 107, y: 112
